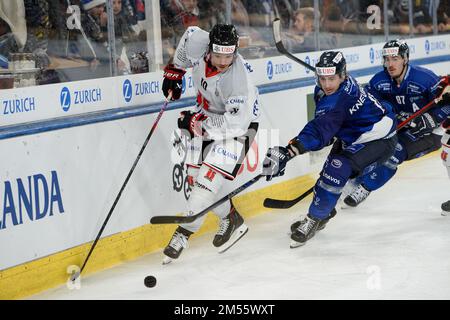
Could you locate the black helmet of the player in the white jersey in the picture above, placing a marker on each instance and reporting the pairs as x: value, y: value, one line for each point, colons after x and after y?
x: 223, y: 39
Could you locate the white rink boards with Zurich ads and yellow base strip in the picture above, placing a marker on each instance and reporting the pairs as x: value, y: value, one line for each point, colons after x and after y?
x: 60, y: 177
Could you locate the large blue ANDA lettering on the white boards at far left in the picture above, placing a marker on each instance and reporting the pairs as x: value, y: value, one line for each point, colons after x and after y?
x: 30, y: 199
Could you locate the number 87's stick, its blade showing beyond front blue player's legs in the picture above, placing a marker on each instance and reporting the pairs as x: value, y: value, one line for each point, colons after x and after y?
x: 285, y: 204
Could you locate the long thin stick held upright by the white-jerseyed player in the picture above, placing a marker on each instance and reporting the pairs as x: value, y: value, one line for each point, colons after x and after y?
x: 163, y: 108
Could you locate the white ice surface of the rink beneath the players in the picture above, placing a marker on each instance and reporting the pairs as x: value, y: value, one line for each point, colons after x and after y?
x: 396, y: 245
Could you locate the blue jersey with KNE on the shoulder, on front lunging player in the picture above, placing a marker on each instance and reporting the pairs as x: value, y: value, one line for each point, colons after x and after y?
x: 350, y: 114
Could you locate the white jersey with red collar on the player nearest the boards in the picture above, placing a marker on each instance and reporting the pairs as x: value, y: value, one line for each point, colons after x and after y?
x: 229, y: 99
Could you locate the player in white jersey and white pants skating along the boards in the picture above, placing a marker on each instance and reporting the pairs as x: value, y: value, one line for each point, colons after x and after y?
x: 221, y: 126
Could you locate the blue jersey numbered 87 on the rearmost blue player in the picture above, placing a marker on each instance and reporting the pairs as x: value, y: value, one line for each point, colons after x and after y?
x: 416, y: 90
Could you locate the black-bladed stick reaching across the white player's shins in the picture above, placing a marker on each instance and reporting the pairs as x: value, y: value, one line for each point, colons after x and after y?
x: 189, y: 219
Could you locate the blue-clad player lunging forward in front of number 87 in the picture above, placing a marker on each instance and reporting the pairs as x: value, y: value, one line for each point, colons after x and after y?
x: 361, y: 129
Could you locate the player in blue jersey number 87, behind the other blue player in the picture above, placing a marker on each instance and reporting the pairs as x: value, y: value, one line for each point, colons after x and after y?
x: 408, y: 88
